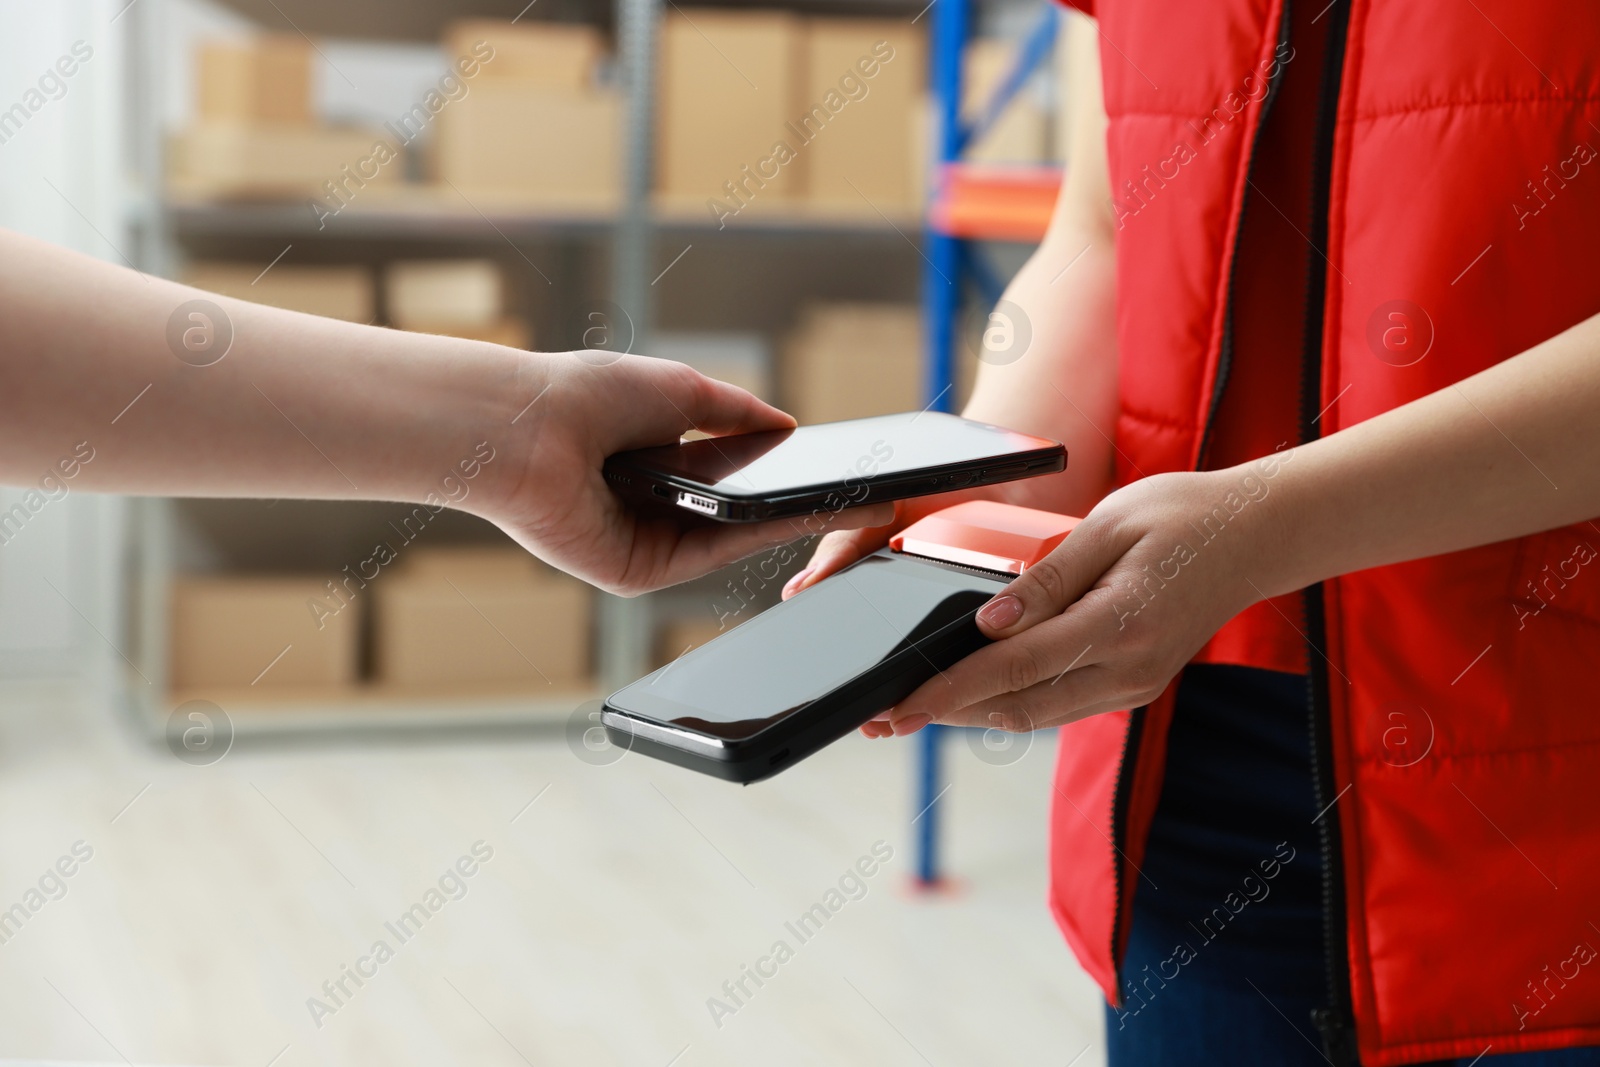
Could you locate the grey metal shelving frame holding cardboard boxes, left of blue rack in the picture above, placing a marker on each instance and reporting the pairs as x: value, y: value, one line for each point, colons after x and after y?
x: 166, y: 226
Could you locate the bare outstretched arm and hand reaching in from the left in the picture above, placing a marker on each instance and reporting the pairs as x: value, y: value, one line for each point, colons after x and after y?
x: 137, y: 385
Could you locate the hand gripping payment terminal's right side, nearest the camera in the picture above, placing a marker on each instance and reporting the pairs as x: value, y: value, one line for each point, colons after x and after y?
x: 1108, y: 618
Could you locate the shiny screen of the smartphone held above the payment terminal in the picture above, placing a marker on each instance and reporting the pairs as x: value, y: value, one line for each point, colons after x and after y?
x: 783, y: 462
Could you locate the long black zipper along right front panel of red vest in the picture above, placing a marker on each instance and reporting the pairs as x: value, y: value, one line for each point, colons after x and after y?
x: 1334, y: 1021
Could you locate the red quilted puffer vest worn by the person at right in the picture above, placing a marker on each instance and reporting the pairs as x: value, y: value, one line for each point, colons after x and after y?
x: 1457, y: 724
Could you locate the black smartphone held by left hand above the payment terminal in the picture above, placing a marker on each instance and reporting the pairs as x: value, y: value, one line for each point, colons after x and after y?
x: 831, y: 466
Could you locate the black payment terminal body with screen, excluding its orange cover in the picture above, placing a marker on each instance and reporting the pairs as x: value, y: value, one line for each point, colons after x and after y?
x: 804, y: 674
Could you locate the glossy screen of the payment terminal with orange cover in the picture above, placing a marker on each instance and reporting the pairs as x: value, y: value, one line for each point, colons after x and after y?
x: 807, y: 647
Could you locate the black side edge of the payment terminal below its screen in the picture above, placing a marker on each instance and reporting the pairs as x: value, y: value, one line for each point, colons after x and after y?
x: 854, y: 705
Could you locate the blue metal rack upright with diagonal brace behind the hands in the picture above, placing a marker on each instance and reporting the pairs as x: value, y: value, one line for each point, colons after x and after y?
x: 950, y: 265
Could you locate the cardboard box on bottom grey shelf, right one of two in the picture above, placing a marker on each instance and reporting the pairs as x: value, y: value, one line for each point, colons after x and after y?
x: 486, y: 633
